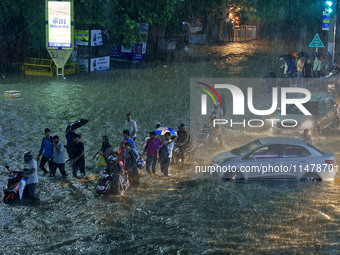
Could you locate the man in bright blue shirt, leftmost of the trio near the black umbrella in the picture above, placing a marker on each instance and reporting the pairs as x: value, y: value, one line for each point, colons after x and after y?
x: 47, y: 148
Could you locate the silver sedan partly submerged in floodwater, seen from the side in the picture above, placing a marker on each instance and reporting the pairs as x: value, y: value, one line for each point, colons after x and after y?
x: 275, y: 158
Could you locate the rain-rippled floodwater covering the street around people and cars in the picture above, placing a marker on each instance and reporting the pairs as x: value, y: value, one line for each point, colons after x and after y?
x: 175, y: 215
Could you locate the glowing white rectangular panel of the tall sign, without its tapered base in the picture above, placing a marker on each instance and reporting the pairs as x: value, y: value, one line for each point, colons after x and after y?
x: 59, y: 24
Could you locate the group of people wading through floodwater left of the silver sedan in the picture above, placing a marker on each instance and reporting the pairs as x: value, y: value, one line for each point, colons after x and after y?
x: 52, y: 152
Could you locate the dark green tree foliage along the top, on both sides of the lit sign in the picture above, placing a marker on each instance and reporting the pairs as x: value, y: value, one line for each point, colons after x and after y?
x: 24, y: 21
